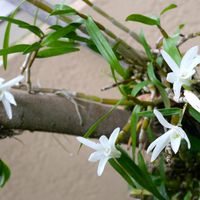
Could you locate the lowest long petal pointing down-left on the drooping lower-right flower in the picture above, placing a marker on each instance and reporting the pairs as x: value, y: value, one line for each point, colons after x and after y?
x: 161, y: 143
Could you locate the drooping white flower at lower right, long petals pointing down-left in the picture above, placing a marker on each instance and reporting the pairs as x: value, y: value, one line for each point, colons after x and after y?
x: 172, y: 136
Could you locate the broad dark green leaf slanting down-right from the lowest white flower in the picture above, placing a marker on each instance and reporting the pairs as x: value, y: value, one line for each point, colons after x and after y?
x: 137, y: 174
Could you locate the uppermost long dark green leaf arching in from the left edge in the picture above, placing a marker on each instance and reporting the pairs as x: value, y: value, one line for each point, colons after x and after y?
x: 34, y: 29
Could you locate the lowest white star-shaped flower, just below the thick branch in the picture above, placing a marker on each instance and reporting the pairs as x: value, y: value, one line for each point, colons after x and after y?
x: 104, y: 150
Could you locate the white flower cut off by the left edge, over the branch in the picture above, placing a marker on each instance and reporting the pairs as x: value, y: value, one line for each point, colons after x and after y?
x: 5, y: 96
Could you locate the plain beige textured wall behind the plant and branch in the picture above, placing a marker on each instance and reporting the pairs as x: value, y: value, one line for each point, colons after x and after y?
x: 41, y: 168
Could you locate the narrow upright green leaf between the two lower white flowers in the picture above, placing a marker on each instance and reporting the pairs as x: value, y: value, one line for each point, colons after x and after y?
x: 134, y: 121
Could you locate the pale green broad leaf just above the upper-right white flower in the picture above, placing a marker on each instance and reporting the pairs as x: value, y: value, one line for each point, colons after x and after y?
x: 169, y: 45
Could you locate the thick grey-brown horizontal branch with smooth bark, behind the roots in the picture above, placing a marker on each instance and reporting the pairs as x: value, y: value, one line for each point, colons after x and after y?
x: 52, y: 113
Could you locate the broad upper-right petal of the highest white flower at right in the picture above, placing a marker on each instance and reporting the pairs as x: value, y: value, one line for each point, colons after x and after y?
x: 188, y: 58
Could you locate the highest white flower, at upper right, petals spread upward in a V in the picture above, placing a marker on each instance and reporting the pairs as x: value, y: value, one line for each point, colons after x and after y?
x: 183, y: 74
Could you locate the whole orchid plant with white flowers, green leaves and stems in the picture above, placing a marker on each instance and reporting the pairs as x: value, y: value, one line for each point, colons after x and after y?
x: 159, y: 85
